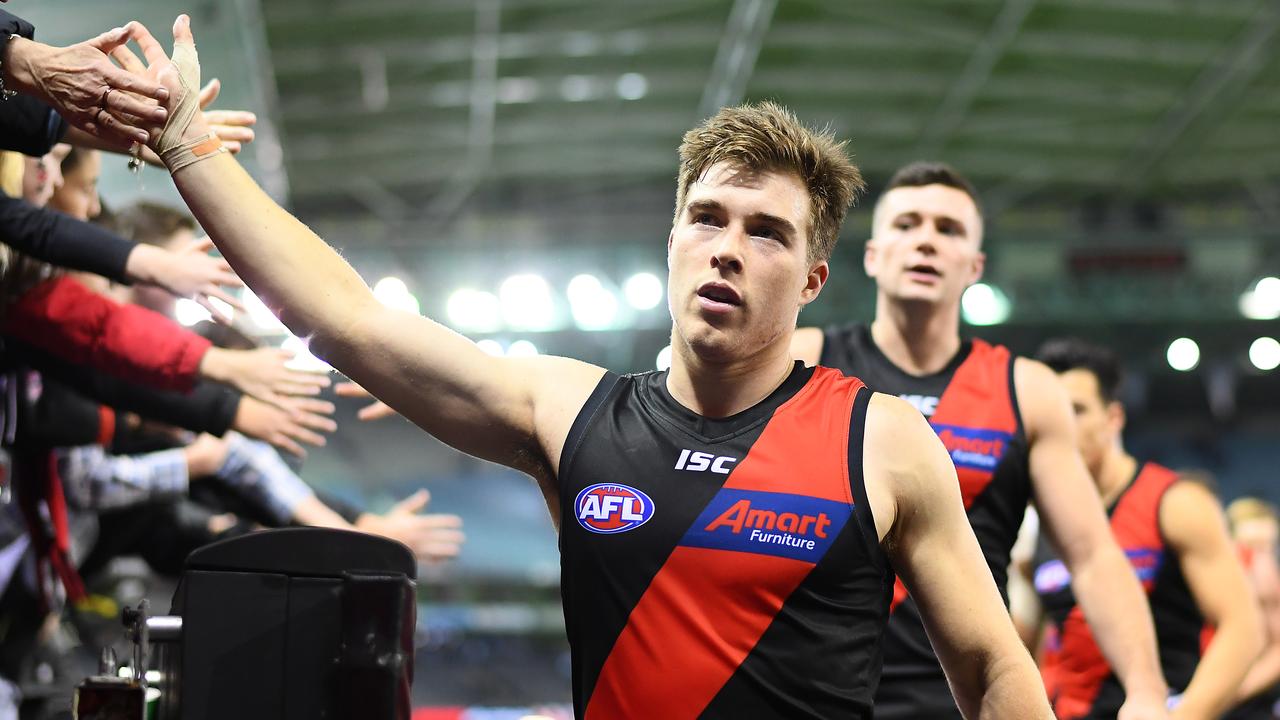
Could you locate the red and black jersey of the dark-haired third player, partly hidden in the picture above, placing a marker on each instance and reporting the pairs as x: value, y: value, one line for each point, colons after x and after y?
x: 1077, y: 675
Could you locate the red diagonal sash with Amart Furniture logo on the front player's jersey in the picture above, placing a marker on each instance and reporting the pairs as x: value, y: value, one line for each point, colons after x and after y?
x: 708, y: 605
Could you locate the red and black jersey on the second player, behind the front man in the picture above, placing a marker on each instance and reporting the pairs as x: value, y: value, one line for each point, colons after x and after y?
x: 971, y: 404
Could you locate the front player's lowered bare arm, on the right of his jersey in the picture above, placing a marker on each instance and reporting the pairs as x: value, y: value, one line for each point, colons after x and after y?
x: 934, y: 550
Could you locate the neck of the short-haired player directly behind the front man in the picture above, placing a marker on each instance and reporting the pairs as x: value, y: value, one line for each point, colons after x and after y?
x: 920, y: 339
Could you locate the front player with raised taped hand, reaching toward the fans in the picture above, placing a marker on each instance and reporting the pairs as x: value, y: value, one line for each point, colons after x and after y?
x: 725, y: 540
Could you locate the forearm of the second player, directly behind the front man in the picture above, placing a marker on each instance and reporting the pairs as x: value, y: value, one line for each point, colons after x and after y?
x: 1118, y: 613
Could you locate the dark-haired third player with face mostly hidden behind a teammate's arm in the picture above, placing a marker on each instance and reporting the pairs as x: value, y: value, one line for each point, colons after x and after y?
x: 1174, y: 535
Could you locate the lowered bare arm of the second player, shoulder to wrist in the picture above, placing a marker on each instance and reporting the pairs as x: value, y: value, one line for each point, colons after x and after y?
x: 1073, y: 516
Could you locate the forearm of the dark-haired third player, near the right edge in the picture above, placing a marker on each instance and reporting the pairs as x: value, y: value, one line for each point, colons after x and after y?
x: 1222, y: 669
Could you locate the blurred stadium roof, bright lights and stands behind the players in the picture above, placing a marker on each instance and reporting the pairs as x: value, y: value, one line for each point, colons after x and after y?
x: 509, y: 168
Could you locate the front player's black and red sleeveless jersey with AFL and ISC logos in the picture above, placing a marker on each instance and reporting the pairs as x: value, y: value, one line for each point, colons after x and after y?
x: 721, y: 568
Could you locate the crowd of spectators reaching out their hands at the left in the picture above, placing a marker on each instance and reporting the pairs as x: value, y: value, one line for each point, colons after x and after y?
x: 124, y: 432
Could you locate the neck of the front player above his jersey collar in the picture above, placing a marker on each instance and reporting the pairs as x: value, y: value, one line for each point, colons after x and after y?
x: 720, y: 390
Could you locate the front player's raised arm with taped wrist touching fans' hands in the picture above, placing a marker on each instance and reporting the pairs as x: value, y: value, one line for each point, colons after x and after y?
x: 515, y: 412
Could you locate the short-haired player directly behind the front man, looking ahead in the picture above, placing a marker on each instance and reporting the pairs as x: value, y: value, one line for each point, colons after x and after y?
x: 1005, y: 421
